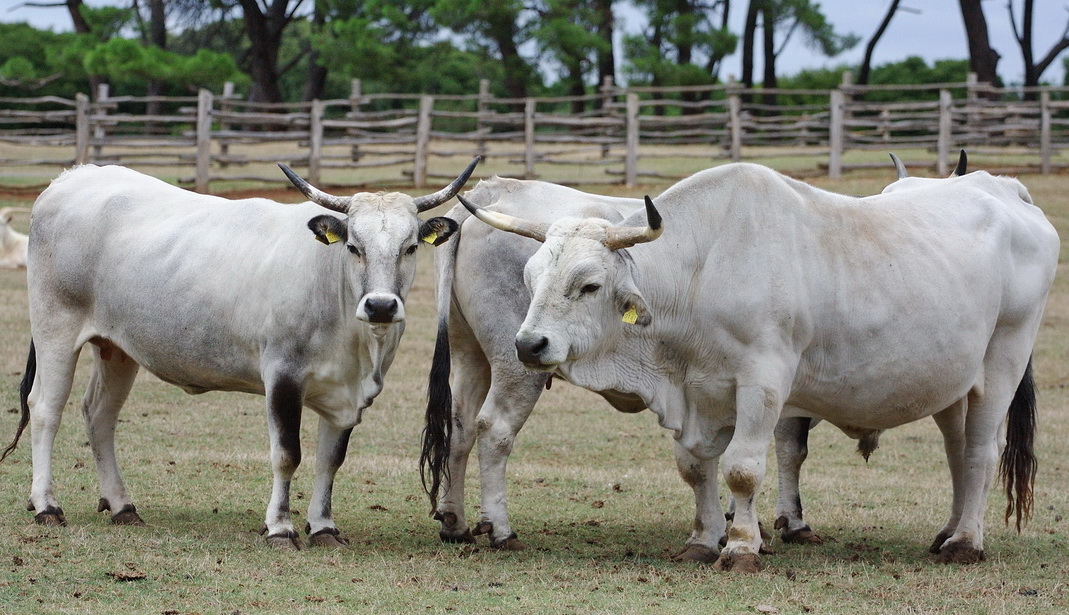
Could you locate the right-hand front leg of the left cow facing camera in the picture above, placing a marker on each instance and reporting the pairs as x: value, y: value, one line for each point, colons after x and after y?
x: 330, y: 456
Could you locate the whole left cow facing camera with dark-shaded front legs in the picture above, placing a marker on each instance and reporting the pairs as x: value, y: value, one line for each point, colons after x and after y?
x: 216, y: 295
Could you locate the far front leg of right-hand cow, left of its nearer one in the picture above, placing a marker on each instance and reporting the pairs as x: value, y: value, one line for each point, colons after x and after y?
x: 710, y: 527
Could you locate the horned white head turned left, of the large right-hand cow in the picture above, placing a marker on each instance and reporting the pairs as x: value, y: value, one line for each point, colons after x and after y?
x: 581, y: 284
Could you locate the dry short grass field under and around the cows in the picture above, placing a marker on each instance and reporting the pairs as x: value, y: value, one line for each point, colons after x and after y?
x: 594, y: 494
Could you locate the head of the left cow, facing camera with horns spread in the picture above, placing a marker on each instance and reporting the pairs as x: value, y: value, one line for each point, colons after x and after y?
x: 381, y: 234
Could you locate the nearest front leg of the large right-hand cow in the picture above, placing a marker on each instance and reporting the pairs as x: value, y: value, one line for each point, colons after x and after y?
x: 757, y: 413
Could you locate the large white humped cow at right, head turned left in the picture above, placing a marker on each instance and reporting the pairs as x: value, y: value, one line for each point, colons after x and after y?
x: 788, y: 301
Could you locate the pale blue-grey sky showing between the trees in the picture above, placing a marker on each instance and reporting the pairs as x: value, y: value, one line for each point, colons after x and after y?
x: 932, y: 29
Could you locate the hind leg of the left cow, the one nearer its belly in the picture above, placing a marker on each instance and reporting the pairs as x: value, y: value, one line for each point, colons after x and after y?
x: 111, y: 383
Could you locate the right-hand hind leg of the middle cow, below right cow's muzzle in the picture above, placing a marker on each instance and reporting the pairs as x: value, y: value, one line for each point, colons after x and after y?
x: 502, y: 418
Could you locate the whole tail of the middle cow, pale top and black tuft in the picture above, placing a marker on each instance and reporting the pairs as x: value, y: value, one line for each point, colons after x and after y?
x: 439, y: 429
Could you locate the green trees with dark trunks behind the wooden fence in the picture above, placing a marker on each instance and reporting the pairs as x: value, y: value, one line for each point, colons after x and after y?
x: 287, y: 51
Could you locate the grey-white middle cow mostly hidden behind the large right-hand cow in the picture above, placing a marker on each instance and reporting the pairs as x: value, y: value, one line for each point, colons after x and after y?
x: 482, y: 304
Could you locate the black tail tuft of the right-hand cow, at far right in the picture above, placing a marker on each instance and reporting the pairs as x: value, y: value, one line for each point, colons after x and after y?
x: 1018, y: 466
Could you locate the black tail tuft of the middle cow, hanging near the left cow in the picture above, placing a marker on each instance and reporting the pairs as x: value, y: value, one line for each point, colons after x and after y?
x: 435, y: 458
